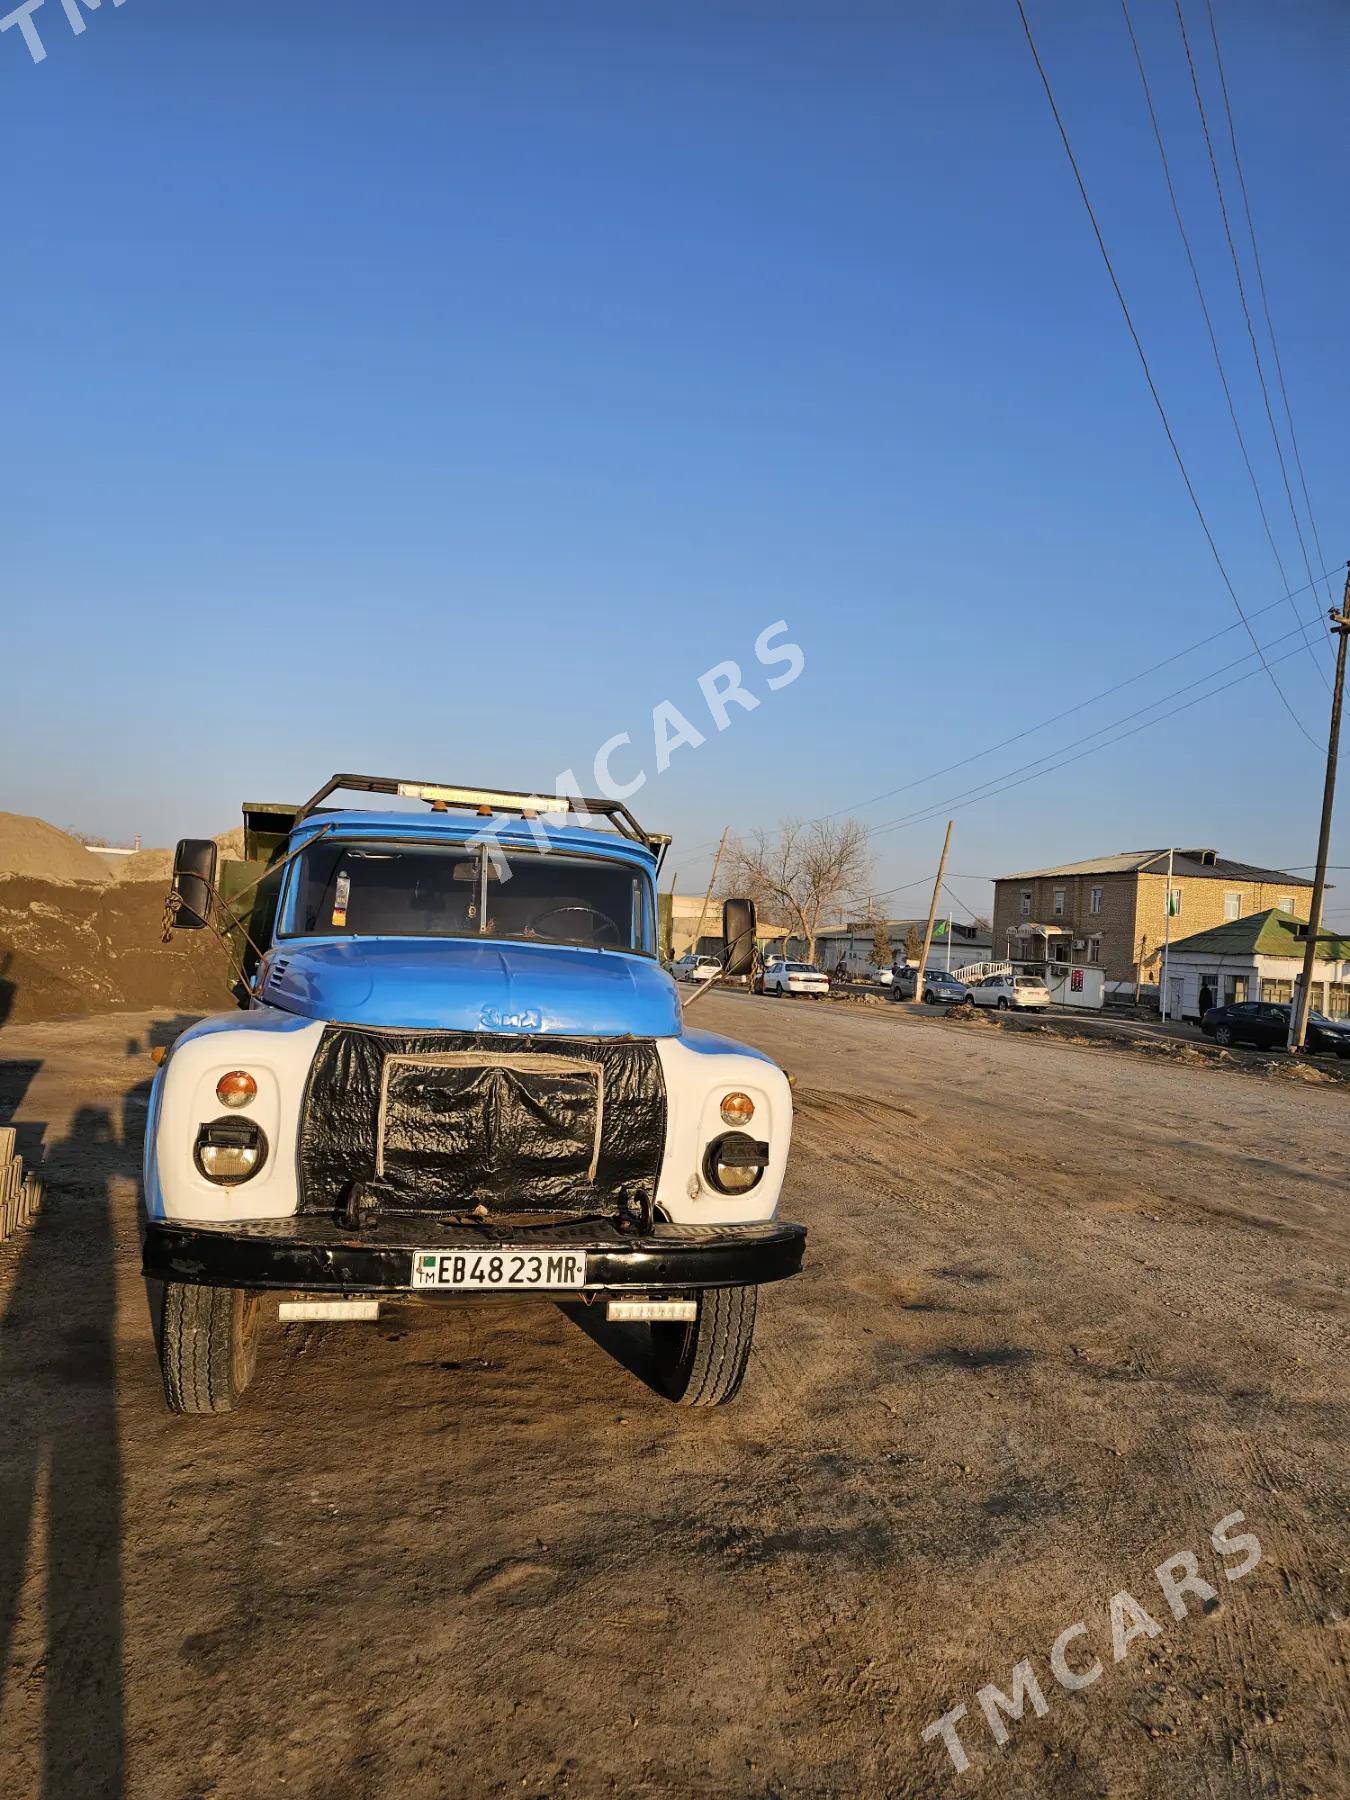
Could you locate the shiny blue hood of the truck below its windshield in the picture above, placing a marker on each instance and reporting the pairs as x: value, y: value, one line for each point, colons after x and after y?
x: 456, y: 985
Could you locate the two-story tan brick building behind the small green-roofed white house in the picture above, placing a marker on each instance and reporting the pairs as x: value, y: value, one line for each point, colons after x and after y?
x: 1113, y: 912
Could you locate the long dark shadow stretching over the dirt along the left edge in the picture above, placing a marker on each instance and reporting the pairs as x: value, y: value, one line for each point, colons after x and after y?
x: 60, y: 1462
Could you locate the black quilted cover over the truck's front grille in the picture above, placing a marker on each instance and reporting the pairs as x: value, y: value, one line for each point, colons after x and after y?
x: 447, y: 1120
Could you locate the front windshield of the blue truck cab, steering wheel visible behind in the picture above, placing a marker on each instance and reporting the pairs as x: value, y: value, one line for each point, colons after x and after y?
x: 391, y: 890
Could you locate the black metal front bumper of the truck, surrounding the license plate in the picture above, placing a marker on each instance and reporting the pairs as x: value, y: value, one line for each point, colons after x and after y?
x: 319, y: 1257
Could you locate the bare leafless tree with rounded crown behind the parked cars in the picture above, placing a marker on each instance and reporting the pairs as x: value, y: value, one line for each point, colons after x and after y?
x: 804, y: 870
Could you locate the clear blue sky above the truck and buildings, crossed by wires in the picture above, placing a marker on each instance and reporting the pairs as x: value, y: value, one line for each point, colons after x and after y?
x: 438, y: 390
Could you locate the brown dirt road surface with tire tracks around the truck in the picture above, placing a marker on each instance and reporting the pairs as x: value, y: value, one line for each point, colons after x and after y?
x: 1065, y: 1311
